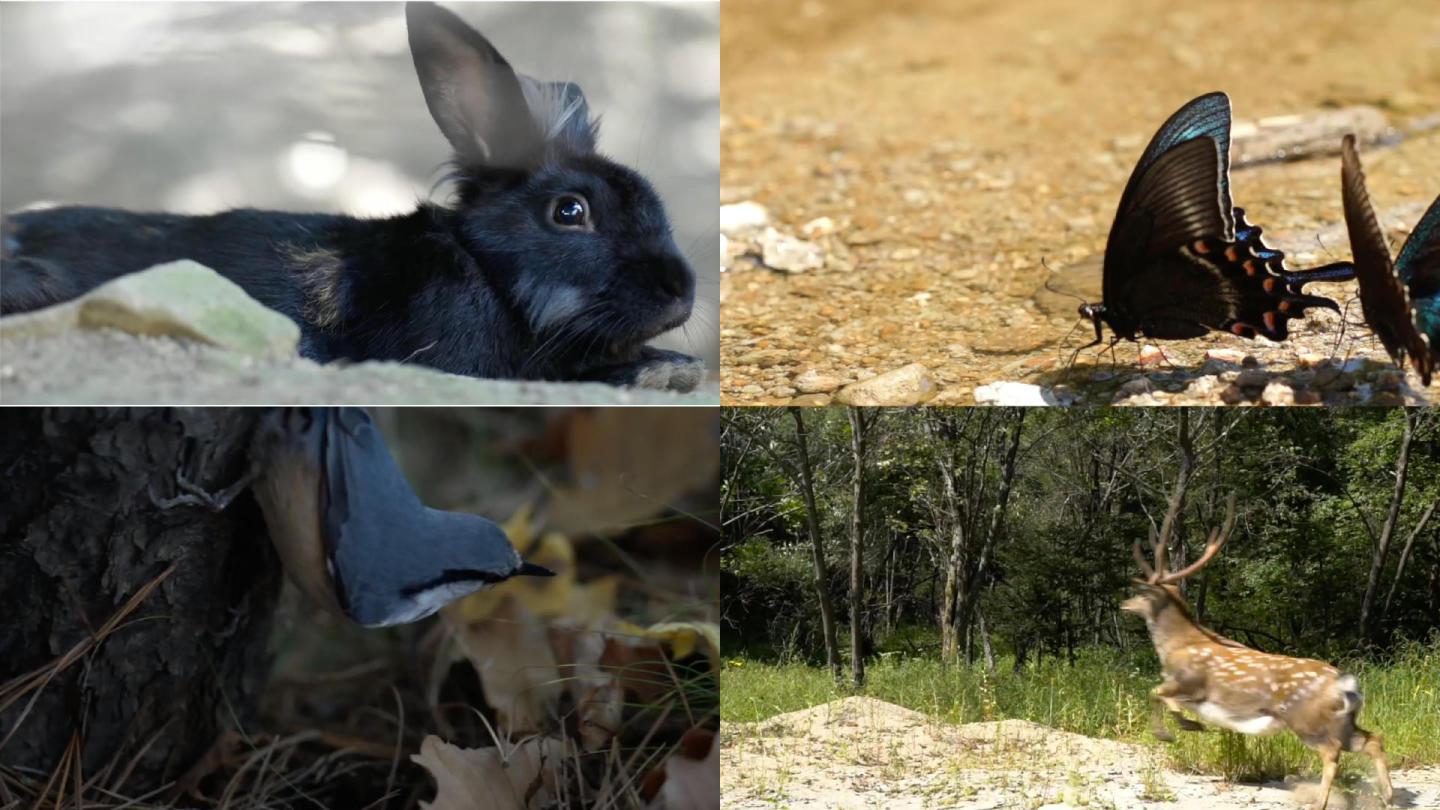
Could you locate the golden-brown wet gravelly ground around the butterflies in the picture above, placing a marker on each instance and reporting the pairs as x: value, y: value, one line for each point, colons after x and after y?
x: 958, y: 146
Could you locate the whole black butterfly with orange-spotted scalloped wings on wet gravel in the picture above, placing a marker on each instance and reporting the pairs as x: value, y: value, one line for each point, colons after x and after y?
x: 1180, y: 260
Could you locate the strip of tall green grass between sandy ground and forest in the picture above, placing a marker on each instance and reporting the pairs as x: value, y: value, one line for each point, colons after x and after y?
x: 1105, y: 695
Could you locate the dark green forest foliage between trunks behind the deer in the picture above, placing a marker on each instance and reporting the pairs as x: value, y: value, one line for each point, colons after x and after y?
x: 1314, y: 486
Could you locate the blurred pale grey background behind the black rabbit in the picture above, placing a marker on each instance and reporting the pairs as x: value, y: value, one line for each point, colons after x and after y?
x: 202, y: 107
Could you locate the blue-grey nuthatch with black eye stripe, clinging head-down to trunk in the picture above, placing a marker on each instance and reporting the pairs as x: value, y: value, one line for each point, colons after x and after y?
x: 352, y: 533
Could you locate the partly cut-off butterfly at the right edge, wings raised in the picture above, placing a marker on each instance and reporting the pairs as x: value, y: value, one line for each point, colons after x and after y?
x: 1402, y: 301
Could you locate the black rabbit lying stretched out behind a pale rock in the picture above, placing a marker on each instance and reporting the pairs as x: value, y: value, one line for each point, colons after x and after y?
x: 555, y: 263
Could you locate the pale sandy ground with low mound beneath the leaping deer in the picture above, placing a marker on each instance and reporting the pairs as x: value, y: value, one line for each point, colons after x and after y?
x: 860, y: 753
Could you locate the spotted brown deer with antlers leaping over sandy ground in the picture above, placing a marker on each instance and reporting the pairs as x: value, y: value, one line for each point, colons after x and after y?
x: 1226, y: 684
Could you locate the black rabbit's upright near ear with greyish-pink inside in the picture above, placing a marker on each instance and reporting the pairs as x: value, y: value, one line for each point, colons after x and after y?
x: 472, y: 92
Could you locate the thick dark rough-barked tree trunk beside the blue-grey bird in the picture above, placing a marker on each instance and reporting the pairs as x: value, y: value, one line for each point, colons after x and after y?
x: 80, y: 535
